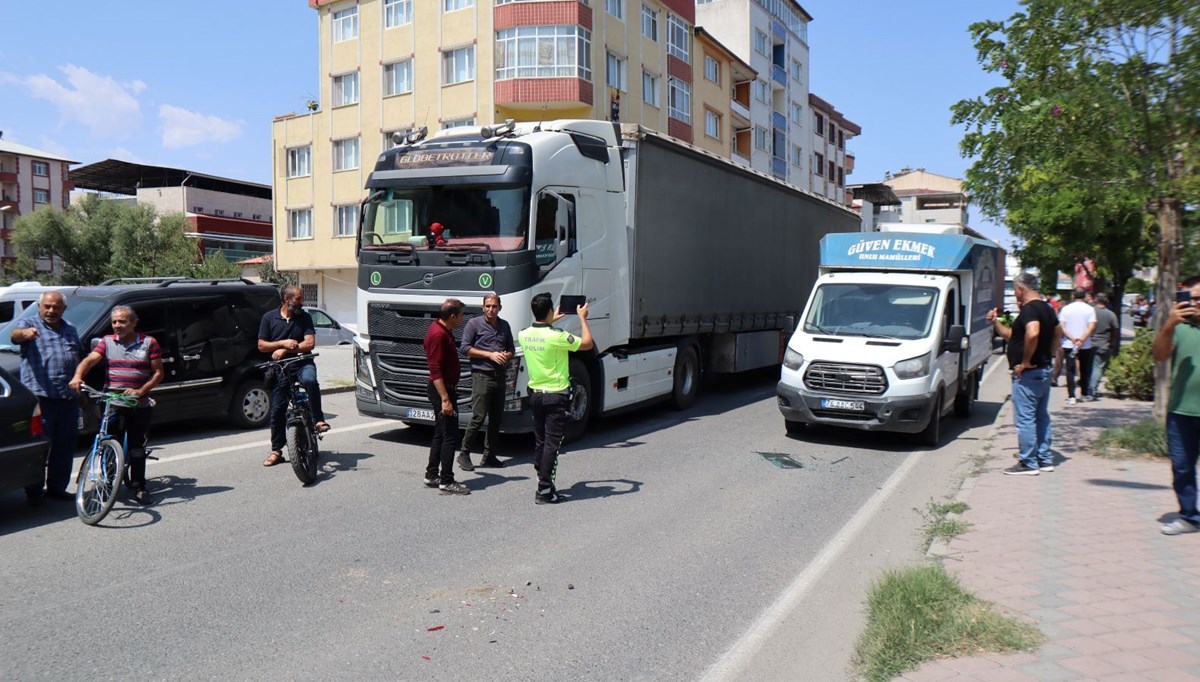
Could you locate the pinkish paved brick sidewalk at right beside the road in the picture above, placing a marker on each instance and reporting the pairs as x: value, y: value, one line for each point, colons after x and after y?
x: 1079, y: 553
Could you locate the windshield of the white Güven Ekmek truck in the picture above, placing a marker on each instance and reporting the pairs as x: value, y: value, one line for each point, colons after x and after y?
x: 890, y: 312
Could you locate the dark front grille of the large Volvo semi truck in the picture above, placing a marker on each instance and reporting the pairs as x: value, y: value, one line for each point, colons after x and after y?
x: 398, y: 355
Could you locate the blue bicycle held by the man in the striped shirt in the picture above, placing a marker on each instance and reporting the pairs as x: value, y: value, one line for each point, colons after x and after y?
x: 105, y: 468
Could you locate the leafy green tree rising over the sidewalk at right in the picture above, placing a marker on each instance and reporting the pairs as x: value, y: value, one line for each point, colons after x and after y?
x: 1105, y: 95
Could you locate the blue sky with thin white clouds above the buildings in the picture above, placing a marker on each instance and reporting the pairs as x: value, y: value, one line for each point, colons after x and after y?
x: 196, y: 85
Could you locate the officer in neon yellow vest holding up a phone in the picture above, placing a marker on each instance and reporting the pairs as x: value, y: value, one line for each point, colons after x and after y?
x: 548, y: 355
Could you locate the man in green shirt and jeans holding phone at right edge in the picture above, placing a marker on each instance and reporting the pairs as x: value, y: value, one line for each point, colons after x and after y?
x: 1179, y: 340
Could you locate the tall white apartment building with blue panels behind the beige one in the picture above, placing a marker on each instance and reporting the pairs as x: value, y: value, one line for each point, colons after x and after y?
x: 772, y: 38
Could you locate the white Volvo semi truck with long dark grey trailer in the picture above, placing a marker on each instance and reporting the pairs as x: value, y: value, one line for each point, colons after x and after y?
x: 689, y: 262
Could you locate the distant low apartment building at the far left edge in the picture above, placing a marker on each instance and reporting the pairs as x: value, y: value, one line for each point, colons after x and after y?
x: 29, y: 180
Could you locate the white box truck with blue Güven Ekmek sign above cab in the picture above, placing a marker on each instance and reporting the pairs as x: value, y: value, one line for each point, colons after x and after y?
x: 895, y: 336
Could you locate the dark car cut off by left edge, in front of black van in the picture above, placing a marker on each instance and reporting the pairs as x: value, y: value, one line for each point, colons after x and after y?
x: 22, y: 446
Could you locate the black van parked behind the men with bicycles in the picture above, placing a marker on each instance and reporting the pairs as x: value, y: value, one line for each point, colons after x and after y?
x: 208, y: 331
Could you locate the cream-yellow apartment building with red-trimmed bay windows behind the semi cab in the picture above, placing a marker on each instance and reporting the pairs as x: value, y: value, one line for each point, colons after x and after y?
x: 397, y: 65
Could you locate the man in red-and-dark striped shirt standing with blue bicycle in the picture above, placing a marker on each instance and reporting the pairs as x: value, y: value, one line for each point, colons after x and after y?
x: 135, y: 367
